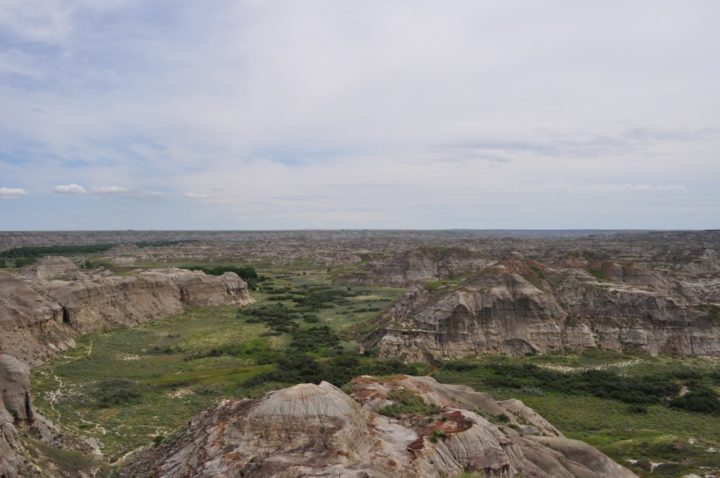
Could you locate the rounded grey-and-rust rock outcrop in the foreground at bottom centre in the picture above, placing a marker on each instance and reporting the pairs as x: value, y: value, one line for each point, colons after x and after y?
x: 317, y: 430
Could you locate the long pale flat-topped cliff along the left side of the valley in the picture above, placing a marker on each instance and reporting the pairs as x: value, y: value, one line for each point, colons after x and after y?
x: 40, y: 317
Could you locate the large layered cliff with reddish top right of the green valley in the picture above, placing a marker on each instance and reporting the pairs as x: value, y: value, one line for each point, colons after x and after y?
x: 516, y: 309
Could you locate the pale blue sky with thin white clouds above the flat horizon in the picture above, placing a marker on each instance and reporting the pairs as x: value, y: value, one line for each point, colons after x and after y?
x: 399, y: 114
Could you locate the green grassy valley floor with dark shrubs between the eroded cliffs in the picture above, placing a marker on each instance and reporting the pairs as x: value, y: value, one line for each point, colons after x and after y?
x: 130, y: 388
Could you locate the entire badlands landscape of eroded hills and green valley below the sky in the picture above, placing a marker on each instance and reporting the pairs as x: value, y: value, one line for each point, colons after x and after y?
x: 360, y: 353
